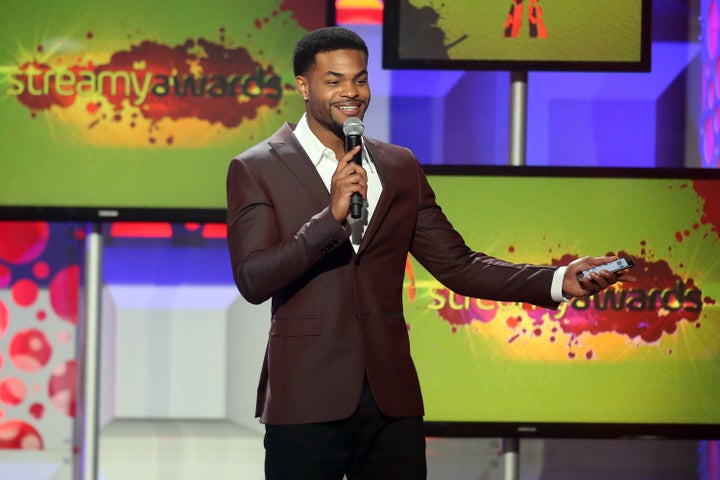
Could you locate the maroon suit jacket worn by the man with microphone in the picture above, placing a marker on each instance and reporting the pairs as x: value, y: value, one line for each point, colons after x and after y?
x: 336, y: 314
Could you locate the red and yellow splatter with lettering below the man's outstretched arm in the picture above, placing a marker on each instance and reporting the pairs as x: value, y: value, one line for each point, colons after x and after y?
x: 642, y: 311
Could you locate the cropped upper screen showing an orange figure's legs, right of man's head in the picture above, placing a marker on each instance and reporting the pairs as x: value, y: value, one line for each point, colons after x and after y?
x: 613, y: 35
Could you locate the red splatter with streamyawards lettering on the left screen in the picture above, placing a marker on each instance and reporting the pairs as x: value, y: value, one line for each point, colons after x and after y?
x: 198, y: 79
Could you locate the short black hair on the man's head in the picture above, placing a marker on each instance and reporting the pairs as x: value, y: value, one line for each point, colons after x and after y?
x: 325, y: 39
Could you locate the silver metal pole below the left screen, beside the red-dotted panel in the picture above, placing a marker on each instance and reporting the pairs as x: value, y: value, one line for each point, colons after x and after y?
x: 85, y: 428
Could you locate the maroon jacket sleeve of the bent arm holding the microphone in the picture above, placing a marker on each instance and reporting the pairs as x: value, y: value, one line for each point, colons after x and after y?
x: 262, y: 261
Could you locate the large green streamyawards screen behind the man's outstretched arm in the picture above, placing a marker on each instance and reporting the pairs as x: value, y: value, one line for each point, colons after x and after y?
x: 641, y: 358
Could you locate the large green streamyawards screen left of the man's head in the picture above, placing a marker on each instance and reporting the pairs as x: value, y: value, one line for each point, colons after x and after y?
x: 112, y: 106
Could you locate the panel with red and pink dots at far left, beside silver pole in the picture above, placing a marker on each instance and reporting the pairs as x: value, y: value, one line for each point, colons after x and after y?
x: 39, y: 295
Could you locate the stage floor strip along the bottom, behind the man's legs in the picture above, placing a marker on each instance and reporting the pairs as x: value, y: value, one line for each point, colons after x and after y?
x: 221, y: 450
